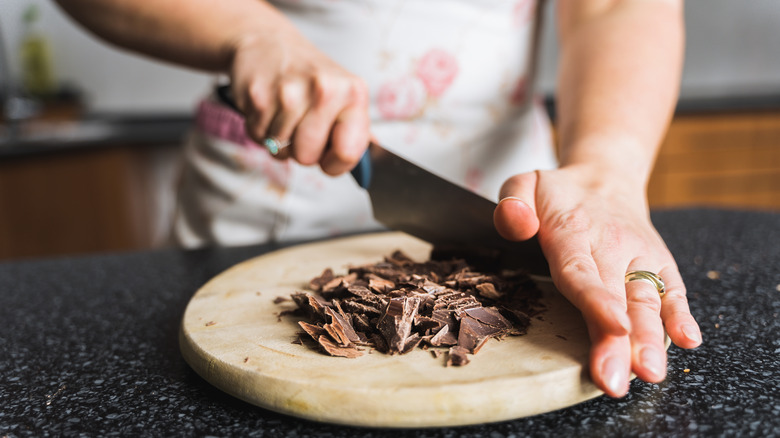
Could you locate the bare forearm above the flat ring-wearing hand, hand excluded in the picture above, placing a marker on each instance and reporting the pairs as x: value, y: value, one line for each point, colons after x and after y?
x: 619, y: 76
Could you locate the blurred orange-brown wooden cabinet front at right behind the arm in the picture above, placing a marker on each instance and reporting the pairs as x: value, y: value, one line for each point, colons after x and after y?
x: 722, y: 160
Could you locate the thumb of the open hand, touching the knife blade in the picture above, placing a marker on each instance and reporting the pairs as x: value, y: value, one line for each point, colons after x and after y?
x: 515, y: 215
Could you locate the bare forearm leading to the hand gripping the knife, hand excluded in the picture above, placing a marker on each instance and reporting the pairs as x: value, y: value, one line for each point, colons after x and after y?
x: 202, y: 34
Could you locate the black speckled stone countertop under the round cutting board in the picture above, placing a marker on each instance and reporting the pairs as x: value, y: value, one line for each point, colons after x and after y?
x: 90, y: 347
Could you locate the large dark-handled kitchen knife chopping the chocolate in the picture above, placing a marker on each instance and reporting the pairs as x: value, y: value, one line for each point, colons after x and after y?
x: 408, y: 198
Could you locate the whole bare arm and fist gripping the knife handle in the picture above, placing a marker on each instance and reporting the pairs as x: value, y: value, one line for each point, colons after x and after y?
x: 286, y: 88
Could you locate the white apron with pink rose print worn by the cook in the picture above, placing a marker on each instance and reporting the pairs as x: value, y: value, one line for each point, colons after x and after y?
x: 447, y: 83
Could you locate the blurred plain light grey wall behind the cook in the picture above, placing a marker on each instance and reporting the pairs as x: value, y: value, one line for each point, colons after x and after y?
x: 732, y: 49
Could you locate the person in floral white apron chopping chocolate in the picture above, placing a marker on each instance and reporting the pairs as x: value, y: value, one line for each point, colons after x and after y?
x: 444, y: 83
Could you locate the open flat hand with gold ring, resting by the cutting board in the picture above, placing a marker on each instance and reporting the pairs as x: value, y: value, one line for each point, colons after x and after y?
x: 592, y: 231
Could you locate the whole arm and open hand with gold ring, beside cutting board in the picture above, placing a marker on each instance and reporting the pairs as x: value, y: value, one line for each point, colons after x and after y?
x: 620, y: 64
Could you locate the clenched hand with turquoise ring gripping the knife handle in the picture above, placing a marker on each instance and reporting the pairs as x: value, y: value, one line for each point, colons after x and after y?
x: 290, y: 91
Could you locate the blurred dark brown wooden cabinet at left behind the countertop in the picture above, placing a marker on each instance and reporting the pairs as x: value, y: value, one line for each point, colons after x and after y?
x: 88, y: 200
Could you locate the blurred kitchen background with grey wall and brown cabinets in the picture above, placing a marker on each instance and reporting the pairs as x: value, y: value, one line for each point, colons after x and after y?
x: 90, y: 135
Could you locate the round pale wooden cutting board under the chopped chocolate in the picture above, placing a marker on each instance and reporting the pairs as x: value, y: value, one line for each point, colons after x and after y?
x: 231, y: 336
